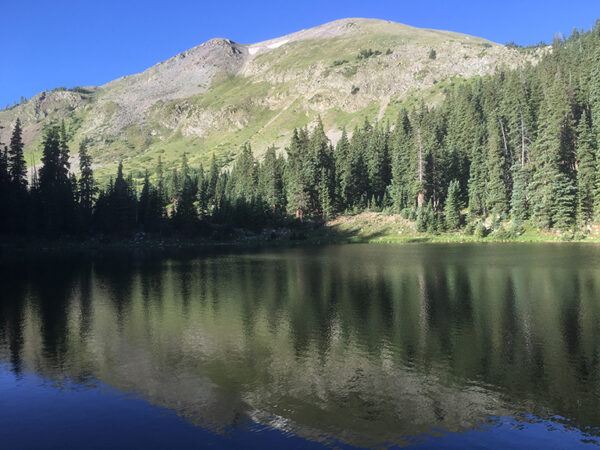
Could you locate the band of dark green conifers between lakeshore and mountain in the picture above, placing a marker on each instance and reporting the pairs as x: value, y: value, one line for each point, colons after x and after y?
x: 520, y: 146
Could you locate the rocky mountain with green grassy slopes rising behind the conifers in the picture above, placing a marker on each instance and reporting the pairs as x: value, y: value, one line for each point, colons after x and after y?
x: 220, y: 94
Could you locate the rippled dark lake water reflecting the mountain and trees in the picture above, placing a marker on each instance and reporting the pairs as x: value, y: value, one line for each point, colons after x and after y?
x: 431, y: 346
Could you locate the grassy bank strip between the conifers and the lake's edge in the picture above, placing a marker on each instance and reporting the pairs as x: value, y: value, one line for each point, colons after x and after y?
x: 365, y: 228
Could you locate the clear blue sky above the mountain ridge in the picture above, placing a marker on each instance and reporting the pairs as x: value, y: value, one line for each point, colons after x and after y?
x: 51, y: 43
